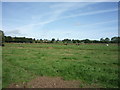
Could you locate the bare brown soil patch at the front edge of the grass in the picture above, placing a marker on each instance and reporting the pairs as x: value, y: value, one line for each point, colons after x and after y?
x: 47, y: 82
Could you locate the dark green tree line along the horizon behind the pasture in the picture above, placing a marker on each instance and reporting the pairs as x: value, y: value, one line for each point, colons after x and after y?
x: 9, y: 39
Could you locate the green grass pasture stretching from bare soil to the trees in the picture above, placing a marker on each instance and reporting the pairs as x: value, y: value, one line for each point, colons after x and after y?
x: 94, y: 64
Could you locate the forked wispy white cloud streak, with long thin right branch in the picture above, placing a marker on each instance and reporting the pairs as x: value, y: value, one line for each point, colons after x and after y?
x: 57, y: 14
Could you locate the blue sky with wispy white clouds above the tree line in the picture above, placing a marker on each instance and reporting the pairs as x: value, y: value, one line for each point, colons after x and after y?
x: 60, y: 20
